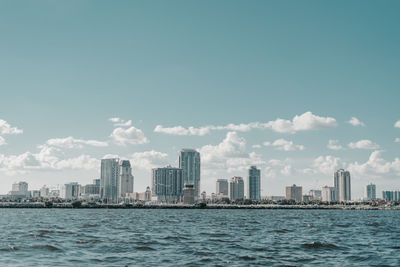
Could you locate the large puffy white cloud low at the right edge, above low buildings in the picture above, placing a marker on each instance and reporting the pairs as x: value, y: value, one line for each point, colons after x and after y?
x: 376, y: 166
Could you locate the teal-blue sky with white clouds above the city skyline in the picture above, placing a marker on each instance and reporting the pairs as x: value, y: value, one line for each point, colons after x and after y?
x: 297, y: 88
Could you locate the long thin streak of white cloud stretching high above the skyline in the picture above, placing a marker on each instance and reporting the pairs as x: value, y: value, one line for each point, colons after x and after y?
x: 304, y: 122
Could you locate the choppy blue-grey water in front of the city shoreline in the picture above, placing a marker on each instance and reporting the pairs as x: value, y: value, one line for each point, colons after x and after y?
x: 146, y: 237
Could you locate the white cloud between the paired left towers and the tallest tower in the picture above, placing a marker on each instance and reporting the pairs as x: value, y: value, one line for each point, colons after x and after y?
x: 149, y: 159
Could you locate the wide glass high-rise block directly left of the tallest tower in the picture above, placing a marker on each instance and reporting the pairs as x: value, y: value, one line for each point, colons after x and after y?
x: 167, y: 184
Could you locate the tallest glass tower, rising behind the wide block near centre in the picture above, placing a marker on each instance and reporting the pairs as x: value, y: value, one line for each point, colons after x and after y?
x: 189, y: 162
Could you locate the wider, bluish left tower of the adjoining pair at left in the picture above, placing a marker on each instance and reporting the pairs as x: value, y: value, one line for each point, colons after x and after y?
x: 109, y: 180
